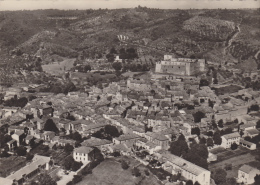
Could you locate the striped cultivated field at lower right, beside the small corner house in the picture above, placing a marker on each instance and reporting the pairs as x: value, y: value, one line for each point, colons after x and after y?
x: 236, y: 158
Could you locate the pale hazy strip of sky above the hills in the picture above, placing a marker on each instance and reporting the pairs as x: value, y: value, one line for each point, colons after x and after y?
x: 85, y: 4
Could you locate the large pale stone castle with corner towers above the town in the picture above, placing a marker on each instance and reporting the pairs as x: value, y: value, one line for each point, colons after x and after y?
x: 180, y: 66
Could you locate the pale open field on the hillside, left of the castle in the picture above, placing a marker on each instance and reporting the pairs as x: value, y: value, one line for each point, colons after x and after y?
x: 58, y: 68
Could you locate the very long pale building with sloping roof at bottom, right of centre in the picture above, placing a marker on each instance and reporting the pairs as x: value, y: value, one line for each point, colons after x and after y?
x: 175, y: 165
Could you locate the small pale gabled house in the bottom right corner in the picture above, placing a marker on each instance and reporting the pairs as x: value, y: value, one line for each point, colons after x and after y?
x: 246, y: 174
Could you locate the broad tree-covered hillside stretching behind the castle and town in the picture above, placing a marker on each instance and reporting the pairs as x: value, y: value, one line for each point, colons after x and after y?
x: 218, y: 35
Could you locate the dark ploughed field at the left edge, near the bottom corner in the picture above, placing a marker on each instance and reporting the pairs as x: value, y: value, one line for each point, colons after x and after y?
x: 10, y: 164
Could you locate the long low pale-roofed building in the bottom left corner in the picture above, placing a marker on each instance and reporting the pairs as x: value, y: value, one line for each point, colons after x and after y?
x: 38, y: 164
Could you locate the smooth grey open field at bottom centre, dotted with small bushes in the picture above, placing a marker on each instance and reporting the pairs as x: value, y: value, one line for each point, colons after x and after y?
x: 111, y: 172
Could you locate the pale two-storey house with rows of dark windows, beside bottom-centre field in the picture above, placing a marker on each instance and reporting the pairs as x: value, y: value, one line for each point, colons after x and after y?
x: 83, y: 154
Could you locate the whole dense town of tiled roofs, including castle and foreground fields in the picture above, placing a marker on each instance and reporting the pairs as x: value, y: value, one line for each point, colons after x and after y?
x: 164, y: 126
